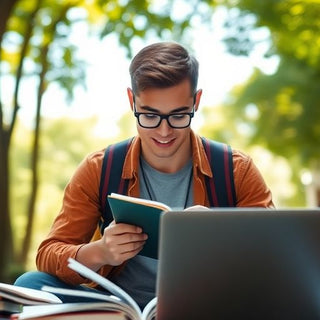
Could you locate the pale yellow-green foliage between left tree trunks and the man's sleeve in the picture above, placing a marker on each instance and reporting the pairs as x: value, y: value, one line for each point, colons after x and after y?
x: 64, y: 144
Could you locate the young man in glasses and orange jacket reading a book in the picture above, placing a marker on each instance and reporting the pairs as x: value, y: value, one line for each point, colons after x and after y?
x: 166, y: 162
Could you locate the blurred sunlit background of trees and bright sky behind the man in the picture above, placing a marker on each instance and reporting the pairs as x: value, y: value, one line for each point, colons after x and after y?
x: 63, y: 79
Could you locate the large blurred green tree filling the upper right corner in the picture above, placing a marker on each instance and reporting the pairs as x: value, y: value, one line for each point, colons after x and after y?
x: 281, y: 110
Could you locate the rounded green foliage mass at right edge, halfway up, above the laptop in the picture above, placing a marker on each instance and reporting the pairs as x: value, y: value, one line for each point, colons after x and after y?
x: 288, y: 113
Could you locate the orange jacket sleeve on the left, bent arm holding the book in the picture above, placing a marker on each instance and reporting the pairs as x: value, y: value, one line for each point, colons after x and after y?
x: 76, y: 223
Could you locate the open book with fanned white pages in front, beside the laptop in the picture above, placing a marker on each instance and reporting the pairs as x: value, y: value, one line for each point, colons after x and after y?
x: 116, y: 305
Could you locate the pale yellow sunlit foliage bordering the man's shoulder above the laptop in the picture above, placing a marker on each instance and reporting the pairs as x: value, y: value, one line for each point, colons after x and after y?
x: 222, y: 124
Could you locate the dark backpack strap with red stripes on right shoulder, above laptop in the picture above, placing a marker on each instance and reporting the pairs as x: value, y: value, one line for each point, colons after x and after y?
x: 220, y: 188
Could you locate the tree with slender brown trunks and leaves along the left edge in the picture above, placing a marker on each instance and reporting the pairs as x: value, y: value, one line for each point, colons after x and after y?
x: 28, y: 40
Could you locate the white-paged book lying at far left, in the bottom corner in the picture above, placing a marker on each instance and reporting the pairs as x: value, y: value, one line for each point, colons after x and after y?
x: 26, y: 296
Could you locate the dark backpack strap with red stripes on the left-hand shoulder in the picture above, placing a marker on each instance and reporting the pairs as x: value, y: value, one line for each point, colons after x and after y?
x: 111, y: 177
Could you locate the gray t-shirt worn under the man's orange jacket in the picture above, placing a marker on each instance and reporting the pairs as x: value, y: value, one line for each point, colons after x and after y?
x: 138, y: 278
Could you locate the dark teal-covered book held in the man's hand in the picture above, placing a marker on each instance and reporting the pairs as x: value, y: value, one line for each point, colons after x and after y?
x: 140, y: 212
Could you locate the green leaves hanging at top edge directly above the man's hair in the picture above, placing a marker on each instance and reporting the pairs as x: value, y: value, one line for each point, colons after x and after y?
x: 139, y: 19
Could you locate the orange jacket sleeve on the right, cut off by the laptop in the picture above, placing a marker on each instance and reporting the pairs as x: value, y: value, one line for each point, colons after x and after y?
x: 251, y: 189
